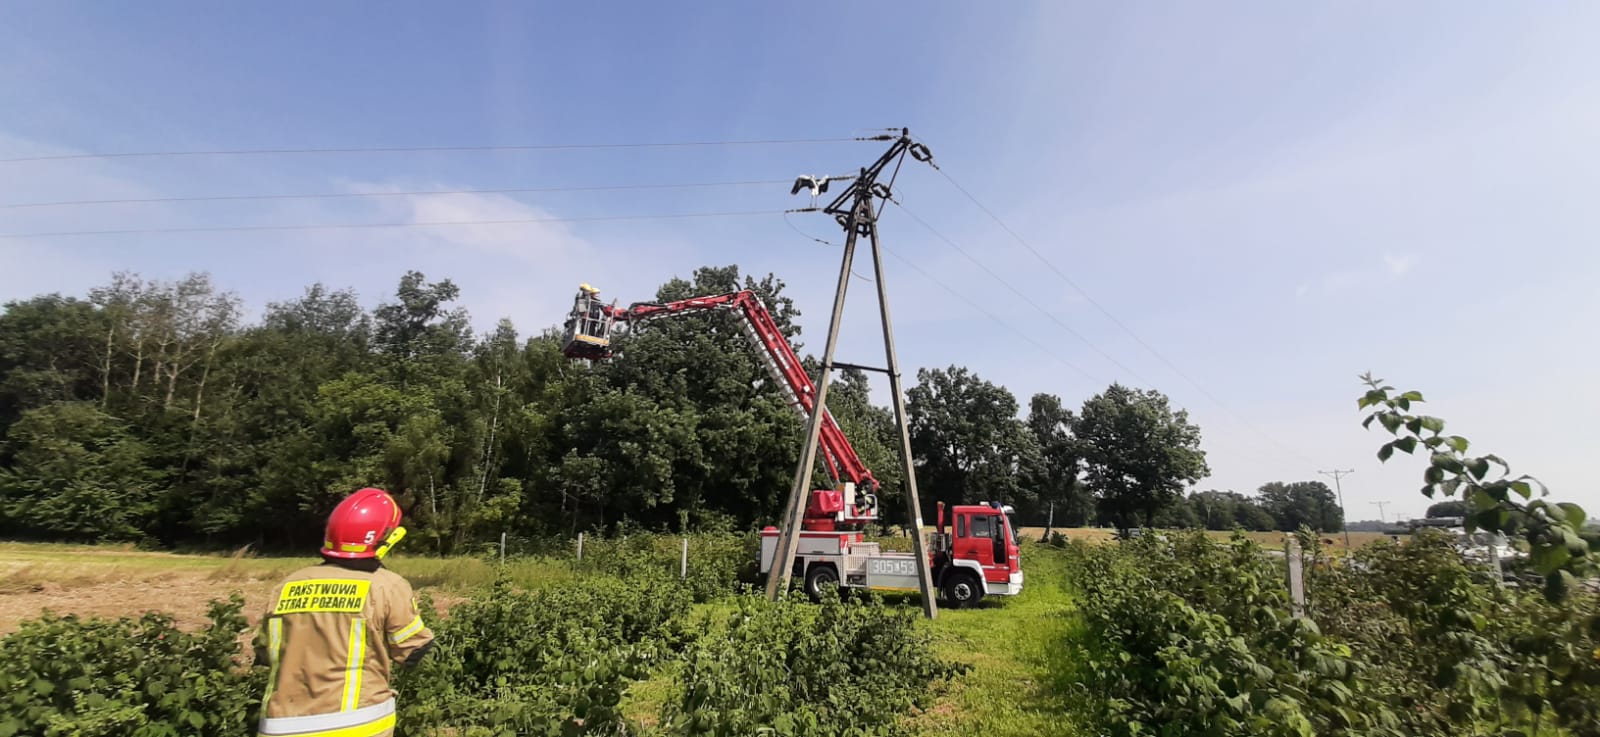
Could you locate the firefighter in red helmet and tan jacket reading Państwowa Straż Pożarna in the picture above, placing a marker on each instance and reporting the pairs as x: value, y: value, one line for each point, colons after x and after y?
x: 335, y: 631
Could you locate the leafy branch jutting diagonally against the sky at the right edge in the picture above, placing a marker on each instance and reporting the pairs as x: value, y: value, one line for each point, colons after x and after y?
x: 1498, y: 501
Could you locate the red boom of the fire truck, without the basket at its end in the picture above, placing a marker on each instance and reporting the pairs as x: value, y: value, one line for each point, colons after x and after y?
x: 839, y: 456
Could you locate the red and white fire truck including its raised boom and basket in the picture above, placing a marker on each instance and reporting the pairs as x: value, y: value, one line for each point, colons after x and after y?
x: 975, y: 559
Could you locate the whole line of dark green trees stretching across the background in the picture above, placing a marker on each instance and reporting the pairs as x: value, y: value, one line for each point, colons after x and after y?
x: 151, y: 412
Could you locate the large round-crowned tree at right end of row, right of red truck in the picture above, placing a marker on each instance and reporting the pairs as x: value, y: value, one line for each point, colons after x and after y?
x: 1138, y: 453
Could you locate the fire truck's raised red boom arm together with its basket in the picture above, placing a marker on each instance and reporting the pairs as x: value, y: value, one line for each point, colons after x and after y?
x: 588, y: 337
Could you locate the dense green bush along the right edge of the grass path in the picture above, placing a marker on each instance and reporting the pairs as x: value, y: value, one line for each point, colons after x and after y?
x: 1188, y: 637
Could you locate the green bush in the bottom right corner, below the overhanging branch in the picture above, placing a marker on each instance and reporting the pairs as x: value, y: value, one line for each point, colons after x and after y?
x: 1452, y: 650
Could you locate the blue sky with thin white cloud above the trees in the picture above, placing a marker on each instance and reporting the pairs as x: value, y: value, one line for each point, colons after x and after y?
x: 1274, y: 197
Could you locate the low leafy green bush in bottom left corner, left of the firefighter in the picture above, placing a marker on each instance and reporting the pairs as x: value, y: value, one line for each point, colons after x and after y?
x: 129, y: 677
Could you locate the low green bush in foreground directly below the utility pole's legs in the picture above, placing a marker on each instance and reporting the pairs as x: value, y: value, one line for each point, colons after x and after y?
x: 846, y: 667
